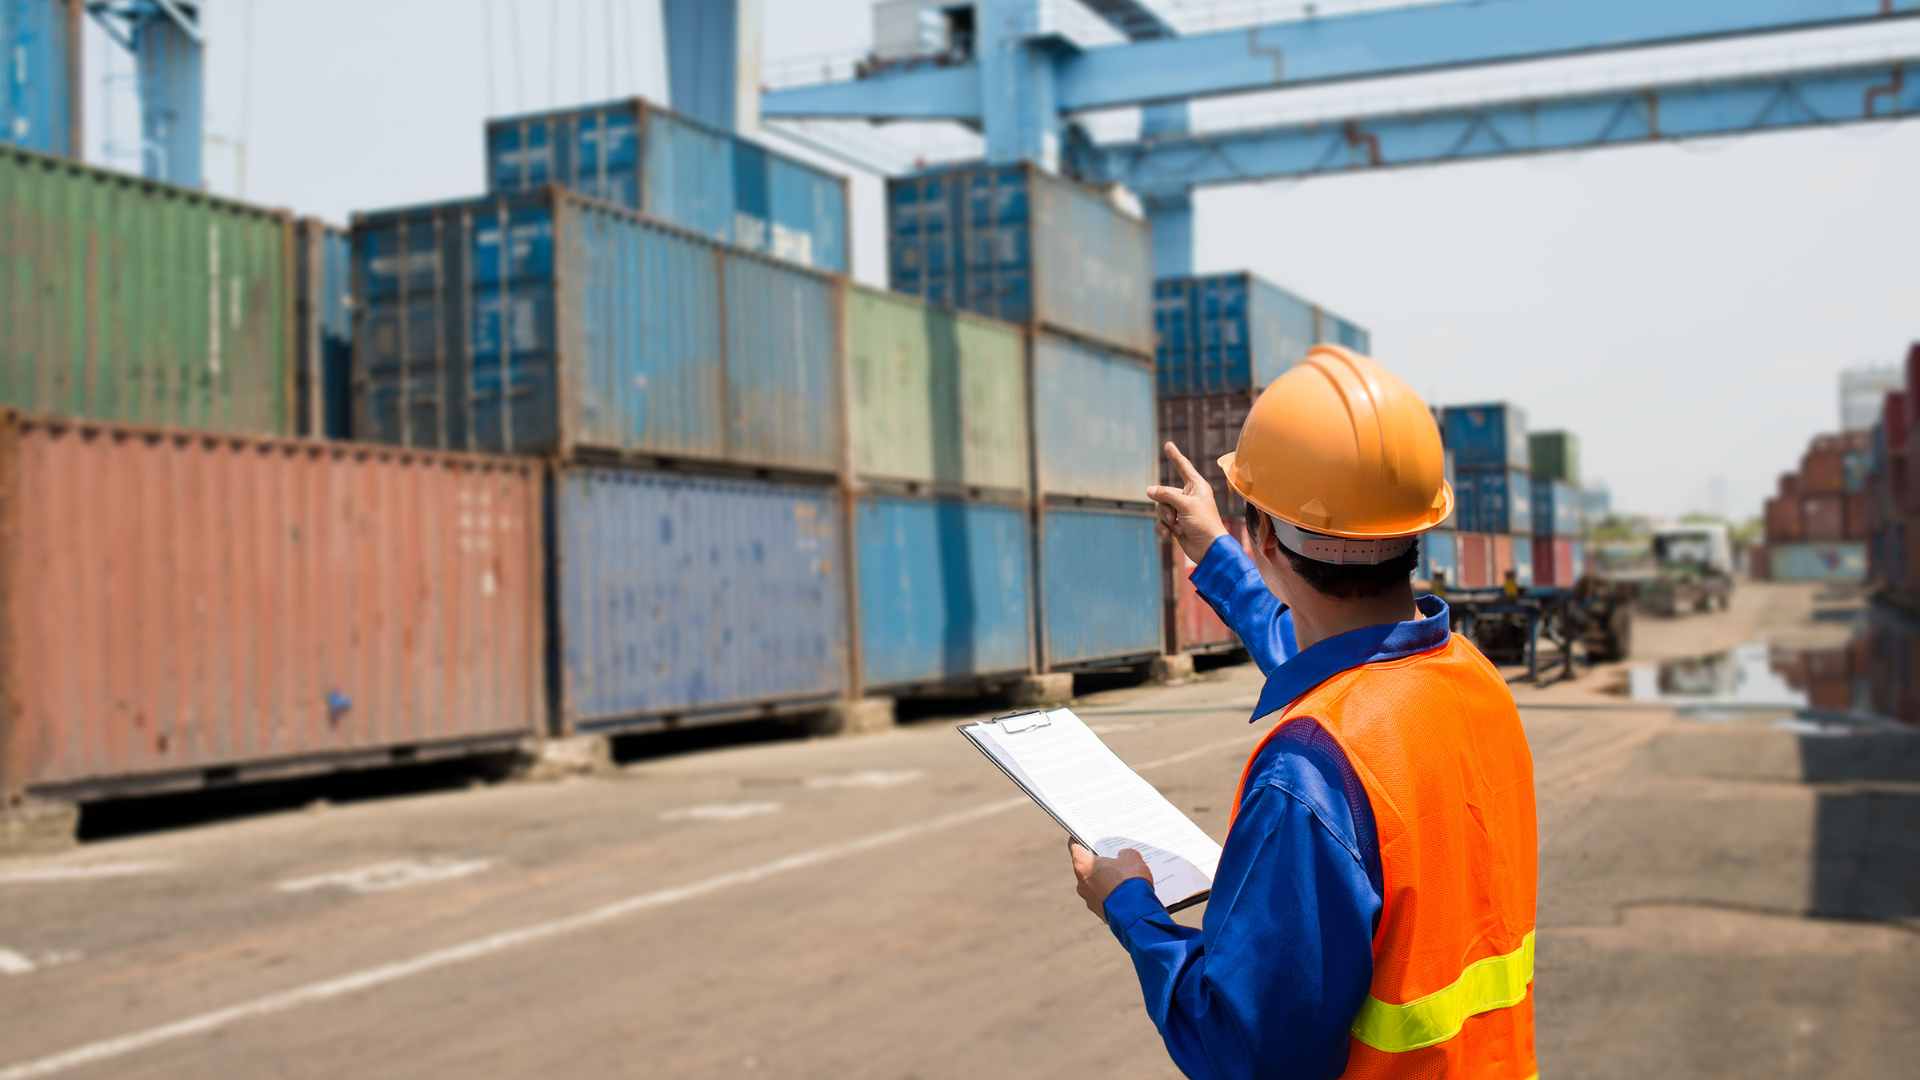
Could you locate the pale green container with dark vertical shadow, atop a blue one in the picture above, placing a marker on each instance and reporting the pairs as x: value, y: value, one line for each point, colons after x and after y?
x: 938, y: 399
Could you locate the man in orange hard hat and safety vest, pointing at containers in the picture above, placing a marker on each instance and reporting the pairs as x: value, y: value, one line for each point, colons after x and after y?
x: 1374, y: 912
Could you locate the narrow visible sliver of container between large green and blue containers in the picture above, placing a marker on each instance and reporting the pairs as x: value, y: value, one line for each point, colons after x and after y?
x: 324, y: 330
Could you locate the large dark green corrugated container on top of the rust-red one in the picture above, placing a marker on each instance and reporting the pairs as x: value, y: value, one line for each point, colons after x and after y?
x: 139, y: 303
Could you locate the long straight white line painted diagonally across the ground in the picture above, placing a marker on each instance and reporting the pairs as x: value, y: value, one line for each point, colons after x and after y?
x: 316, y: 993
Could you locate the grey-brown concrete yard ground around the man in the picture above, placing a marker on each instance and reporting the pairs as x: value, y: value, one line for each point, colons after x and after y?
x: 1719, y: 898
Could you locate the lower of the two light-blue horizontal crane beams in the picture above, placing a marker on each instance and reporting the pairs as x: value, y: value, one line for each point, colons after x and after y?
x: 1618, y: 118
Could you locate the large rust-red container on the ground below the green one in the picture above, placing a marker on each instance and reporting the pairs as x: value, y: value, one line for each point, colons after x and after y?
x: 180, y: 608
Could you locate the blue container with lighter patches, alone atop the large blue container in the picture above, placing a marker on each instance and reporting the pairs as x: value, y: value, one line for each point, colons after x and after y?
x: 681, y: 172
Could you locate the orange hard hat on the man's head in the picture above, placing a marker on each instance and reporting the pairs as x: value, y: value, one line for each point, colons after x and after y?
x: 1341, y: 449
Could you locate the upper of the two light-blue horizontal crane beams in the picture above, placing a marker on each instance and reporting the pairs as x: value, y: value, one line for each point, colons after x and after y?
x: 1335, y: 49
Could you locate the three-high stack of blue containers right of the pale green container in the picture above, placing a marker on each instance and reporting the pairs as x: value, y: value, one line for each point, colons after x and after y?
x: 1072, y: 272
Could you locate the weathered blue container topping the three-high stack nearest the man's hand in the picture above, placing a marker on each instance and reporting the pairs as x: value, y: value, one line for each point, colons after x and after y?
x: 1026, y: 247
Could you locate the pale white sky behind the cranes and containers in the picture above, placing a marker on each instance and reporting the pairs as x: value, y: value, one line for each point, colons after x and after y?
x: 1683, y: 308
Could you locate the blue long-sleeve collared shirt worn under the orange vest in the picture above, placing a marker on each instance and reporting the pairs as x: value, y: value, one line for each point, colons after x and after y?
x: 1272, y: 981
